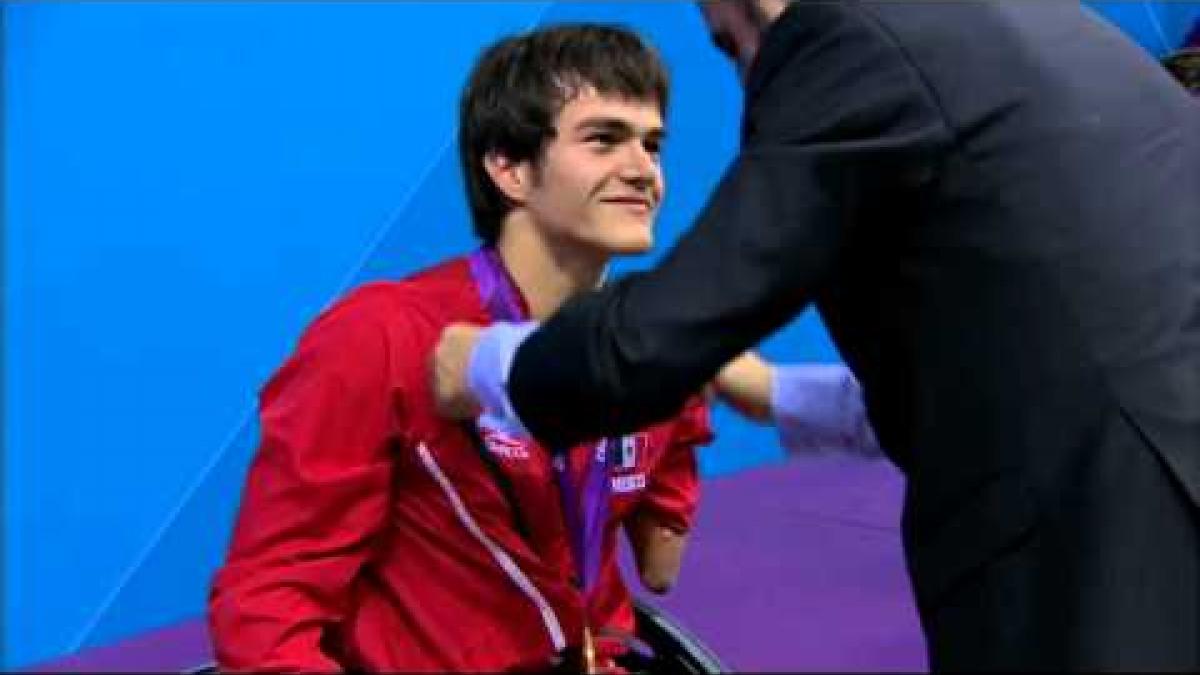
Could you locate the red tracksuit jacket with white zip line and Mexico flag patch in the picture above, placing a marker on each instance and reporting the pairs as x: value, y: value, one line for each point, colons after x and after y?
x: 373, y: 536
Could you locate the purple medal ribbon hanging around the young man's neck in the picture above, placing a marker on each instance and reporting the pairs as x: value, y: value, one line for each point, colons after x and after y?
x: 586, y: 505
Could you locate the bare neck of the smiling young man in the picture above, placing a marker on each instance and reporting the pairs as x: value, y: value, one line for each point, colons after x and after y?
x: 548, y: 273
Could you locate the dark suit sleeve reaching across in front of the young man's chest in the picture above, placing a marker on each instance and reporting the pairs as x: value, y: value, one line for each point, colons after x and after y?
x: 843, y: 123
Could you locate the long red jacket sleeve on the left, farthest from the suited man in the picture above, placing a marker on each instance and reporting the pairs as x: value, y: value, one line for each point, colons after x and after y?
x: 316, y: 495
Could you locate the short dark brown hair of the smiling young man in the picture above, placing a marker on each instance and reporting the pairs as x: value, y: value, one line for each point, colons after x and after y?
x: 521, y: 83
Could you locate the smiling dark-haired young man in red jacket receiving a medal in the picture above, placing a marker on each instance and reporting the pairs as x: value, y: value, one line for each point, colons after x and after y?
x: 374, y: 534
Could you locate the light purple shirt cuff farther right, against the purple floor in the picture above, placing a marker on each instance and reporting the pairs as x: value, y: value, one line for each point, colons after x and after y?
x: 819, y: 409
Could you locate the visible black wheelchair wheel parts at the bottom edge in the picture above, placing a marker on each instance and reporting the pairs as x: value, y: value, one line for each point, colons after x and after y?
x: 671, y: 648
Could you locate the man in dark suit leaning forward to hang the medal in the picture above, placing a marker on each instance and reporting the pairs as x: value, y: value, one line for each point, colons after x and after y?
x: 995, y: 207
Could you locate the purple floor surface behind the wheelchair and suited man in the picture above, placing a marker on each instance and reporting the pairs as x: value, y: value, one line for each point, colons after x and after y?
x: 791, y: 568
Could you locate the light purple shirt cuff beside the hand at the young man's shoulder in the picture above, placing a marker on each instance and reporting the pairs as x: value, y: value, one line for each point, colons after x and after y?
x: 488, y: 375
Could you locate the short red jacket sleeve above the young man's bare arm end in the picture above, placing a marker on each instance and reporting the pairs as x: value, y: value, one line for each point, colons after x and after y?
x: 673, y: 489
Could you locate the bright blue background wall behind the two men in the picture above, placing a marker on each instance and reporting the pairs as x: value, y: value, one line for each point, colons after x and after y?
x: 187, y: 186
